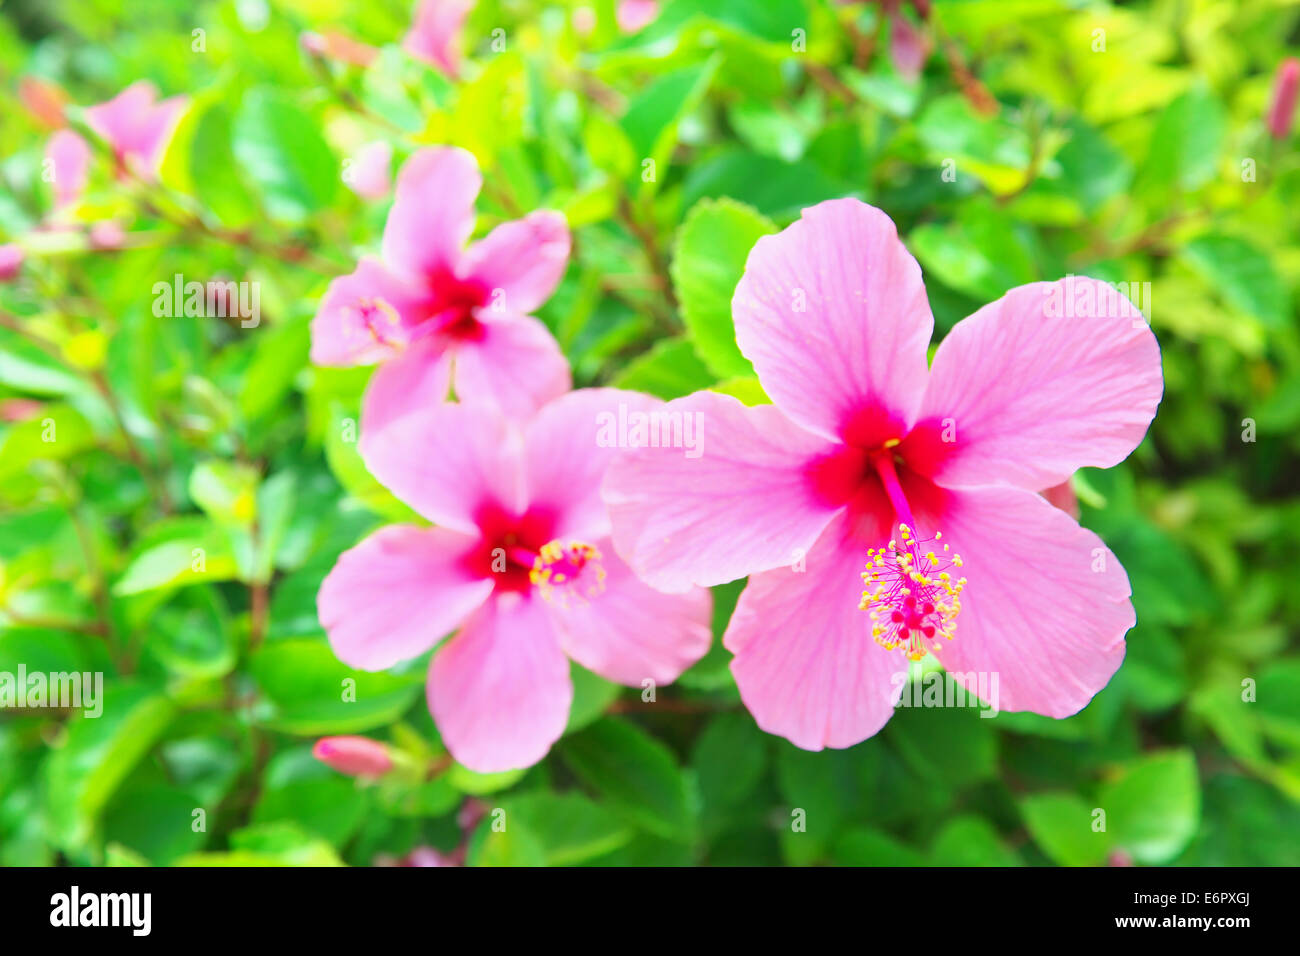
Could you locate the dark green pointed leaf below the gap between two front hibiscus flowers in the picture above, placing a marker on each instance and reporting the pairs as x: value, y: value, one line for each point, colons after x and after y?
x: 635, y: 775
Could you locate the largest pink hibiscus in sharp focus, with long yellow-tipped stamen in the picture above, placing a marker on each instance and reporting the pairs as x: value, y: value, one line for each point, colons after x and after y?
x: 850, y: 500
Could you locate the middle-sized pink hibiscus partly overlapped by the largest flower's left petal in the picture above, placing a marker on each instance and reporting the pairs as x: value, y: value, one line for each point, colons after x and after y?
x: 521, y: 563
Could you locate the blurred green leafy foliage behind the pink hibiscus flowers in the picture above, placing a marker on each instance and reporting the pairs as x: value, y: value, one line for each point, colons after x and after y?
x: 1143, y: 159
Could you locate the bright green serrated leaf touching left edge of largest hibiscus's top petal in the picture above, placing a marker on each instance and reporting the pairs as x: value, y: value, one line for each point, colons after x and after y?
x: 713, y: 246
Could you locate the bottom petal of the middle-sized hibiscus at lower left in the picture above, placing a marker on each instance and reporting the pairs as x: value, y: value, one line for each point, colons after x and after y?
x: 500, y: 691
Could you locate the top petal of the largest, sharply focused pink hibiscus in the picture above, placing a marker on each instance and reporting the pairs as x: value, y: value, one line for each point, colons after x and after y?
x: 834, y: 315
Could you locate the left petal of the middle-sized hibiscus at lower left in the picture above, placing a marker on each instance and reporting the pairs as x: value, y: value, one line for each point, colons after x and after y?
x: 398, y: 594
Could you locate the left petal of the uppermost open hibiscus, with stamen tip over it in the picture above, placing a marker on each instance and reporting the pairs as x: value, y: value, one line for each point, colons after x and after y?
x: 341, y: 335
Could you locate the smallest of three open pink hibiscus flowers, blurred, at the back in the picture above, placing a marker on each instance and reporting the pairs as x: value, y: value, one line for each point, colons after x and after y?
x: 436, y: 314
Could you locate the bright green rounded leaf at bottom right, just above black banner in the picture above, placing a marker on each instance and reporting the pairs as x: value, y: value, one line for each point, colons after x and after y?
x: 1154, y: 810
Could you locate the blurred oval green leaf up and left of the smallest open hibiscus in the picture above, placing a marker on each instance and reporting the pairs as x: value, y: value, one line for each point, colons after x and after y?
x: 283, y: 152
